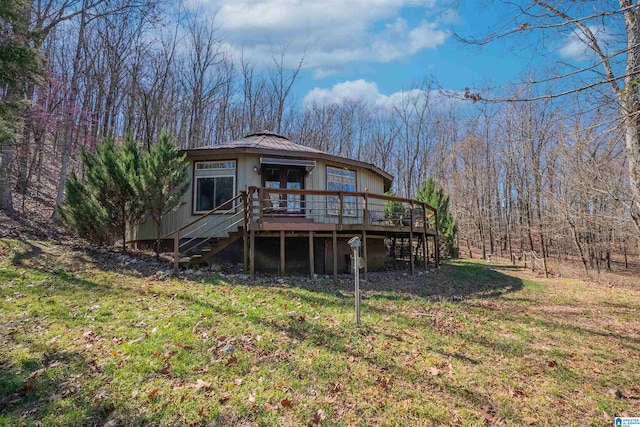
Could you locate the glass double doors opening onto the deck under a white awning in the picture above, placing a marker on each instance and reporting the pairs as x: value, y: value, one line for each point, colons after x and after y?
x: 289, y: 177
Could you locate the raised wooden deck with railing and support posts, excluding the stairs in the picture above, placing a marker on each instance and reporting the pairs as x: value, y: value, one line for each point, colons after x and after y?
x: 319, y: 213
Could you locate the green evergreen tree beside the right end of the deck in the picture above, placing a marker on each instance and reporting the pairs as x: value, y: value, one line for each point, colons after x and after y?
x: 446, y: 226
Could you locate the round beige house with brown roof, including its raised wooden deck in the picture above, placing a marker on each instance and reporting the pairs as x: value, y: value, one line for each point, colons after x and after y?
x: 275, y: 205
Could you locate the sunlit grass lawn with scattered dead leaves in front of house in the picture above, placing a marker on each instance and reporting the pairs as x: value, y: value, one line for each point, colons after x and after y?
x: 471, y: 344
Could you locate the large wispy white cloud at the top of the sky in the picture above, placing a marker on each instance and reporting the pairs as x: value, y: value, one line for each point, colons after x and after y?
x: 329, y: 33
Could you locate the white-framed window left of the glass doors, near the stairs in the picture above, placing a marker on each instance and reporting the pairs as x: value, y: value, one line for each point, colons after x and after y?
x: 214, y: 184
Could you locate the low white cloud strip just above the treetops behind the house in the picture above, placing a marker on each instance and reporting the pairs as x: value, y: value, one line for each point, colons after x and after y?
x: 368, y: 92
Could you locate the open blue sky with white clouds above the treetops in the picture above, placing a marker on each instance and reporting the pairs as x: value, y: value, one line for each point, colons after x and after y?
x: 373, y: 49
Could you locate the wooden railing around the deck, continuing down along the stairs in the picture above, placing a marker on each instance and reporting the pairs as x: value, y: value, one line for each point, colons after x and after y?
x: 341, y: 210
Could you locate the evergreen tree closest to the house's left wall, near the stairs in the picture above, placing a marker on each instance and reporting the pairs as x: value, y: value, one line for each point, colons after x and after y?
x: 163, y: 180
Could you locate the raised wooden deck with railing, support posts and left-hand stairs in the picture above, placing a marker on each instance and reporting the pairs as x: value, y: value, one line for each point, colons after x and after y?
x: 270, y: 212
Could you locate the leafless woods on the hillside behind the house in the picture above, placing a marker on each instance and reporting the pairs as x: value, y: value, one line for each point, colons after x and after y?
x: 548, y: 175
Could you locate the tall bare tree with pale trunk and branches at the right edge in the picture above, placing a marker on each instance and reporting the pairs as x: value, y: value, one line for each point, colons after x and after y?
x: 614, y: 61
